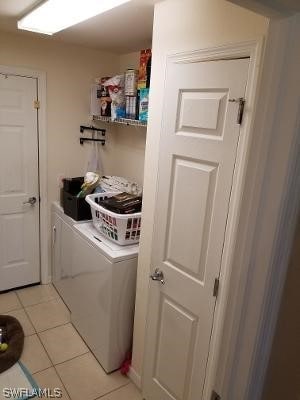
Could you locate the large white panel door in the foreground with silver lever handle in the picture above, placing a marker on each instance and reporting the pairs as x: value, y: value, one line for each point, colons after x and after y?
x: 198, y: 149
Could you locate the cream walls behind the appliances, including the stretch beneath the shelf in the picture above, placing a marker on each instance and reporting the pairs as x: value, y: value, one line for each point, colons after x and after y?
x: 69, y: 71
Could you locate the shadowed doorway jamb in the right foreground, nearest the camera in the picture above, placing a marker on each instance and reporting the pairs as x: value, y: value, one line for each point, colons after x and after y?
x: 269, y: 215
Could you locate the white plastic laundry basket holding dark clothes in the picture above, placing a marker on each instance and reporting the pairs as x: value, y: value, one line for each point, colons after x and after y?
x: 123, y: 229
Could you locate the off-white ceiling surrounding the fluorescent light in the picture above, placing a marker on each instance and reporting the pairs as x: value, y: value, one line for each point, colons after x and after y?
x: 121, y: 30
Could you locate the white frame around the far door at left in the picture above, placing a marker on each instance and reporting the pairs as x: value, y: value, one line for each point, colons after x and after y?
x: 40, y: 76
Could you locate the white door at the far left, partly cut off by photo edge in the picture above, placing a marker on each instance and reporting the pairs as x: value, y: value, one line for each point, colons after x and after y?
x: 19, y: 184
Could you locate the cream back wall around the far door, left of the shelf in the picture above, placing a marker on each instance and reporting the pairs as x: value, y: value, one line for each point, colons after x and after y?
x: 70, y: 70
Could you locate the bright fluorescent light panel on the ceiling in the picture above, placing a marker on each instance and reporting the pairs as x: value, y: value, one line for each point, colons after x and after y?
x: 55, y: 15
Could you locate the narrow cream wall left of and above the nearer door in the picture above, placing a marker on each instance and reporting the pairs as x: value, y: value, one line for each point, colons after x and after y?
x: 179, y: 26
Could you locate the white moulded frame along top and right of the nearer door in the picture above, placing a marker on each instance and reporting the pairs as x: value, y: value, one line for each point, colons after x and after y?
x: 254, y: 50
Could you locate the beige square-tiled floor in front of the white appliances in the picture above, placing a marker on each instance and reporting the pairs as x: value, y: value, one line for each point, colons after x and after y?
x: 54, y: 352
